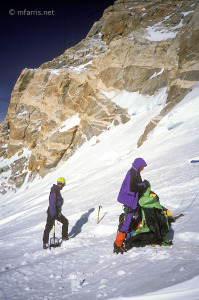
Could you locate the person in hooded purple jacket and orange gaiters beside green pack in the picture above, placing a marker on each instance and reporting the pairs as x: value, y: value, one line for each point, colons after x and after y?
x: 131, y: 190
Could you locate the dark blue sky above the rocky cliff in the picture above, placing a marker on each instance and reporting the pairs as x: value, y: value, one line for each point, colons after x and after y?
x: 27, y: 41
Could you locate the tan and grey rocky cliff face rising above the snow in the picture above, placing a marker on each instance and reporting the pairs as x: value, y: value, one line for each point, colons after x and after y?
x: 139, y: 46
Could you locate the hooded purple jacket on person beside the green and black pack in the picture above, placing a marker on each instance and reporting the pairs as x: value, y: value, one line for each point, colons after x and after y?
x: 132, y: 186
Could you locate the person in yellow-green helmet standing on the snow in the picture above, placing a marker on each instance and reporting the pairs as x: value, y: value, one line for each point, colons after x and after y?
x: 54, y: 212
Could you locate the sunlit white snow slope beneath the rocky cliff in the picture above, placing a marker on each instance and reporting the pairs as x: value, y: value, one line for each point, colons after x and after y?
x: 85, y: 266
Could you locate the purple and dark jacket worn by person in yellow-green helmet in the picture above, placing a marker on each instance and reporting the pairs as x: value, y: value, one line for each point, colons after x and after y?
x: 55, y: 201
